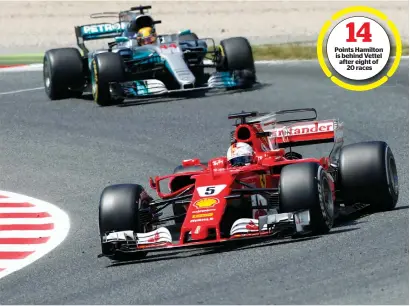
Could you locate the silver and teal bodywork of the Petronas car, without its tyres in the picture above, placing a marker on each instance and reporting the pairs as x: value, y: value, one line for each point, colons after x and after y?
x: 167, y: 53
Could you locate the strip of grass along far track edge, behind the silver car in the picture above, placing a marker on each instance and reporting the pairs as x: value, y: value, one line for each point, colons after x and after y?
x: 261, y: 52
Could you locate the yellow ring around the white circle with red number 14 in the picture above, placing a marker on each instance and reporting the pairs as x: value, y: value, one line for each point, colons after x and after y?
x: 321, y: 57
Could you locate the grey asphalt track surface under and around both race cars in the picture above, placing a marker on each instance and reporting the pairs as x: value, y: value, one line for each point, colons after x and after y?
x: 66, y: 152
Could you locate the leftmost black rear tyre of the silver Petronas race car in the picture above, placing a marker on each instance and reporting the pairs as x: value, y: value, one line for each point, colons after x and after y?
x: 63, y: 74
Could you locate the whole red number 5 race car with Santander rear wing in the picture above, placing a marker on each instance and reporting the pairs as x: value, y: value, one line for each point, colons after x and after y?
x: 278, y: 193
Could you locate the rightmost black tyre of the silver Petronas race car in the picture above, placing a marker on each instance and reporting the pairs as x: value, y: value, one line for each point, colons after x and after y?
x: 236, y: 56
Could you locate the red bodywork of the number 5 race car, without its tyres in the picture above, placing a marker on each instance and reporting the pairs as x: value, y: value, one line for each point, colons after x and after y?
x: 215, y: 182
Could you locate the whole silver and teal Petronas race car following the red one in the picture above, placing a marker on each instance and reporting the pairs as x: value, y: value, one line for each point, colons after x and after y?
x: 127, y: 69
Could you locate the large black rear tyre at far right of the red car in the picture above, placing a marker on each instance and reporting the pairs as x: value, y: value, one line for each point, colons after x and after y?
x: 368, y: 175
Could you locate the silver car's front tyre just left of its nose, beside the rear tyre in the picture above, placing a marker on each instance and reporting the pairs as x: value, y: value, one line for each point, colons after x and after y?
x: 105, y: 68
